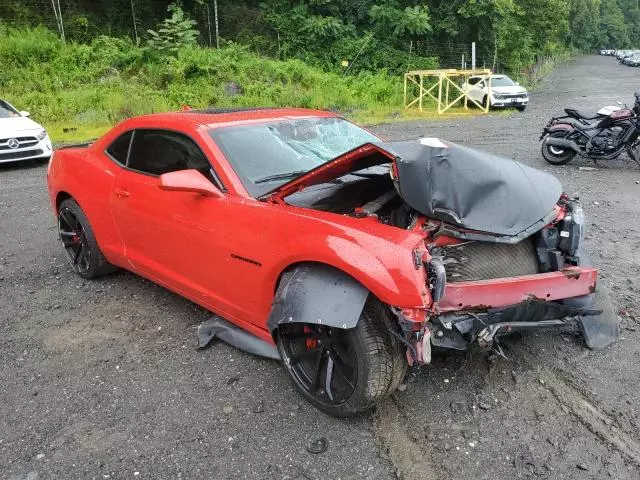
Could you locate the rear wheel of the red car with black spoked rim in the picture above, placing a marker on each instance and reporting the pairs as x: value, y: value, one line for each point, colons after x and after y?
x: 79, y: 241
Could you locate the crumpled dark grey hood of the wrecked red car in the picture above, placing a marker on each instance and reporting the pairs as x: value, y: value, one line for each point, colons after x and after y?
x: 472, y: 189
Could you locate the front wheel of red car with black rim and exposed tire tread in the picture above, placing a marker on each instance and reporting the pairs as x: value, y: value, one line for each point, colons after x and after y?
x: 344, y: 372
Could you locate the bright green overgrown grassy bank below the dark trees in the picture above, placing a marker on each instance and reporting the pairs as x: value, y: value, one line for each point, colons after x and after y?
x: 79, y: 91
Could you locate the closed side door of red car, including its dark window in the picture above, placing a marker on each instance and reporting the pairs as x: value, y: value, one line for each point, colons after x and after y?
x: 170, y: 237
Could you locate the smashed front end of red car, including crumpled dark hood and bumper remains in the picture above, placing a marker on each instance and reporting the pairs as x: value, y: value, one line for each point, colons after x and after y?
x: 485, y: 218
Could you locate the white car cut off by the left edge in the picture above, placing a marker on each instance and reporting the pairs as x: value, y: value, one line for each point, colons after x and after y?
x: 20, y: 137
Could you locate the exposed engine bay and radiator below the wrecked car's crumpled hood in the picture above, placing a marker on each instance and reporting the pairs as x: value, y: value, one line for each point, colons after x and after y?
x: 466, y: 255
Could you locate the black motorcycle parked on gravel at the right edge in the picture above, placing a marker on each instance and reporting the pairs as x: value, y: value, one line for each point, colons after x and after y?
x: 597, y: 138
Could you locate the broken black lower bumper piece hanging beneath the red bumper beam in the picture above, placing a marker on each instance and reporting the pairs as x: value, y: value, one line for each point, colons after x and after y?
x: 461, y: 329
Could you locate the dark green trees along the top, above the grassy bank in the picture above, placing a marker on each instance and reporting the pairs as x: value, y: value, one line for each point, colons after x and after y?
x: 511, y: 35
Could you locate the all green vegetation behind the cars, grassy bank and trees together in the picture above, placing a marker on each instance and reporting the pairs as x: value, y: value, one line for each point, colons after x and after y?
x: 100, y: 76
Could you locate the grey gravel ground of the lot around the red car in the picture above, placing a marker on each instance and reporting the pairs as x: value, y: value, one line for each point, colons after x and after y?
x: 101, y: 379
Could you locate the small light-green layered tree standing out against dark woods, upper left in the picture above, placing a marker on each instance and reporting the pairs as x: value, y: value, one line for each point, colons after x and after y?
x: 174, y: 32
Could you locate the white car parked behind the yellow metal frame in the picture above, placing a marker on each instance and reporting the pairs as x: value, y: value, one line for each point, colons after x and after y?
x: 504, y: 92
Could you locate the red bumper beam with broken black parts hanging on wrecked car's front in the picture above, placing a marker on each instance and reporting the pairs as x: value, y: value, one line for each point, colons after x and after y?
x: 480, y: 312
